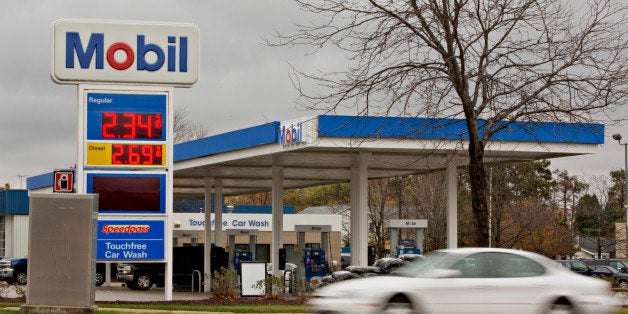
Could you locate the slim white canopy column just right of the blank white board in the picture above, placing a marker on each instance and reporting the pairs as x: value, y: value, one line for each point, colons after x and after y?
x: 277, y: 200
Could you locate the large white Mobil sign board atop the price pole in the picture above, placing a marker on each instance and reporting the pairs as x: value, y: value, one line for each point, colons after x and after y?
x: 86, y: 51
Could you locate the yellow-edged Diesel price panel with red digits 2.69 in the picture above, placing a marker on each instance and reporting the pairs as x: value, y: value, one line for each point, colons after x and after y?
x: 126, y: 154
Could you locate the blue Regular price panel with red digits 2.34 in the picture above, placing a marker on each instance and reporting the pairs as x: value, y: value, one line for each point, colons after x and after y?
x: 126, y: 116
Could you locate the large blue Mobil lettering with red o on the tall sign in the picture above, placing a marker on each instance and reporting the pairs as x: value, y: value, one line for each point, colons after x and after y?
x: 122, y: 55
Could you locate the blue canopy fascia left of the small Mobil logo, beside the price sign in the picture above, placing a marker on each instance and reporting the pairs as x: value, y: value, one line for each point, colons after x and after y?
x: 221, y: 143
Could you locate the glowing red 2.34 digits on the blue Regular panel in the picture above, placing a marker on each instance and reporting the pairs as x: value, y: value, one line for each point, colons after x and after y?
x: 132, y: 125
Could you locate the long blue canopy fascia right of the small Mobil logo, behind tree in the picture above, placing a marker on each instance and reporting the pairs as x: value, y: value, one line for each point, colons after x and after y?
x: 456, y: 129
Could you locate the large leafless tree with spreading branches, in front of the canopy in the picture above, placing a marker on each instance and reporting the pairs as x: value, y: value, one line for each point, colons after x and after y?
x: 490, y: 62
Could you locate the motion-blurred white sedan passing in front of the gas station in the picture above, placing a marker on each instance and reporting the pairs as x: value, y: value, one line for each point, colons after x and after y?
x: 470, y: 280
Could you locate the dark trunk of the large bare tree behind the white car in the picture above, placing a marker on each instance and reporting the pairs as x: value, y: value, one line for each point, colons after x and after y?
x: 477, y: 178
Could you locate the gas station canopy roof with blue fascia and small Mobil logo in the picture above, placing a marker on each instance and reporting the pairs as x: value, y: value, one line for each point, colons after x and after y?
x: 321, y: 150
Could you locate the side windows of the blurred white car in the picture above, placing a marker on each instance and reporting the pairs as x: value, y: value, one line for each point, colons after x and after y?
x: 497, y: 265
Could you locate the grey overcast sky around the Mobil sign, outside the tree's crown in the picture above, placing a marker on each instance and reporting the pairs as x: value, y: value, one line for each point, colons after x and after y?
x: 242, y: 82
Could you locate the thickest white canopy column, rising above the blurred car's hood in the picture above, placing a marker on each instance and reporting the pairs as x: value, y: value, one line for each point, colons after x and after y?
x: 359, y: 210
